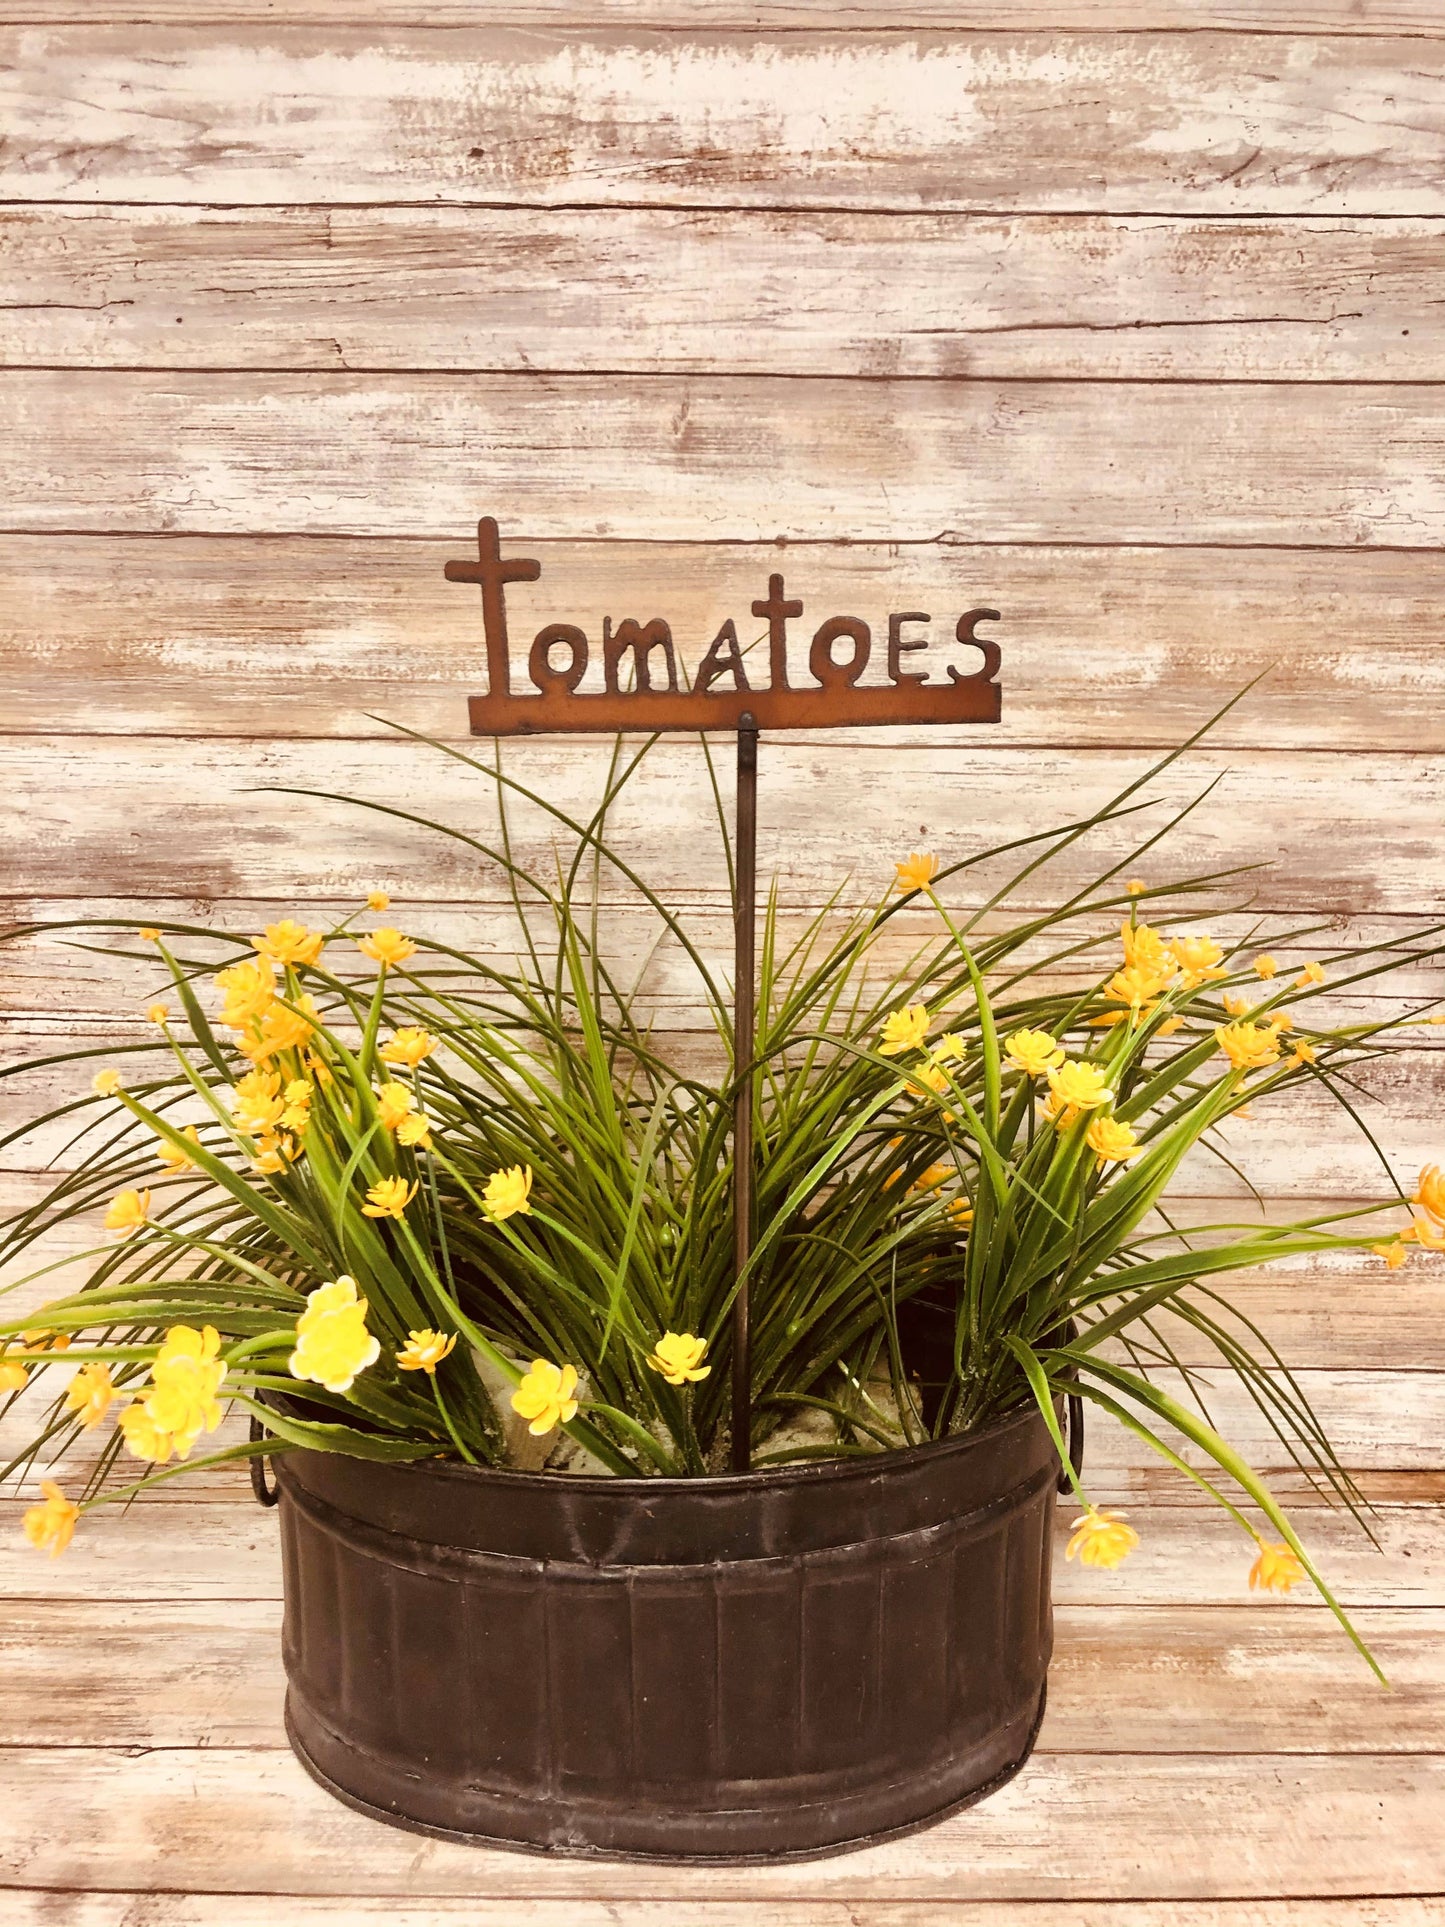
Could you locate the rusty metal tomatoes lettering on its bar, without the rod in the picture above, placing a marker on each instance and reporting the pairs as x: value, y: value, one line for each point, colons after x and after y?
x: 641, y: 672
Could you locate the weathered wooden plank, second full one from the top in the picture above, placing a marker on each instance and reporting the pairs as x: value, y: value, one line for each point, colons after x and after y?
x: 652, y: 290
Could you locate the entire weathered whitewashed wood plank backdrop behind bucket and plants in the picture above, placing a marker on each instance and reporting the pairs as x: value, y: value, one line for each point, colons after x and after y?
x: 1126, y: 317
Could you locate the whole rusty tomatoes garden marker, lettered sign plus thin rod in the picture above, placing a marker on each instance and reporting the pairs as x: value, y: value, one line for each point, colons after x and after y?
x: 837, y: 700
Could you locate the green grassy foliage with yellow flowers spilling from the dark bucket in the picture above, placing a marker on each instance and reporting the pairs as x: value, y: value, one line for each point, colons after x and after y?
x: 398, y: 1200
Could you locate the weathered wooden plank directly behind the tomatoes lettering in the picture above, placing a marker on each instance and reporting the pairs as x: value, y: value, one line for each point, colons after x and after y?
x: 317, y: 637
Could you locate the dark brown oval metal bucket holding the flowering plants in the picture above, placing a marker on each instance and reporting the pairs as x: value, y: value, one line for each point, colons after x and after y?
x: 764, y: 1666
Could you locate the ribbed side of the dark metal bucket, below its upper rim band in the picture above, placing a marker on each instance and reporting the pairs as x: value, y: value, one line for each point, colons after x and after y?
x: 743, y: 1708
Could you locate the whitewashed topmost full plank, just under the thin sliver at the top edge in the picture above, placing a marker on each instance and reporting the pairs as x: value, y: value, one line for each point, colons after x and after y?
x: 1197, y: 122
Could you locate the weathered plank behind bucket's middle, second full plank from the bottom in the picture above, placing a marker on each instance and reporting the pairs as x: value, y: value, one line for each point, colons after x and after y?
x: 1124, y: 1679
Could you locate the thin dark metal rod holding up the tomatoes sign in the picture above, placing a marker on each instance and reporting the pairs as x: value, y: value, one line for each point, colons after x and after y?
x: 745, y: 1022
